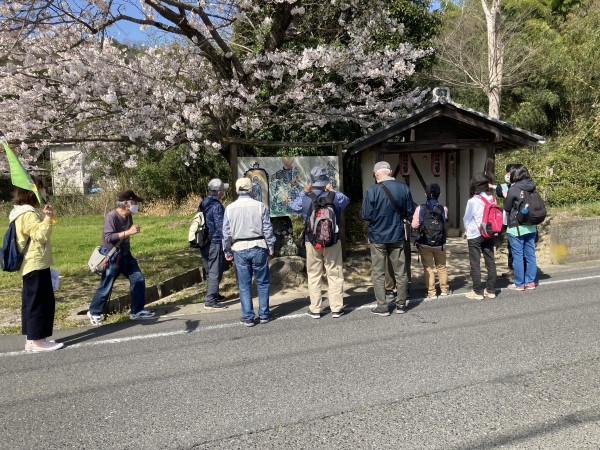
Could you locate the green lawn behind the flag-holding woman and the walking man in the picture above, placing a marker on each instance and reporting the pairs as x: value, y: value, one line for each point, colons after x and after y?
x: 161, y: 249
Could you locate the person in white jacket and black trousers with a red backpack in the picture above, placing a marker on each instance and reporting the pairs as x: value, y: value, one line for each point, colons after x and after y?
x: 477, y: 244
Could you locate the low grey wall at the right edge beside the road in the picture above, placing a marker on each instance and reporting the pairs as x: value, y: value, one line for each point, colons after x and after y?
x: 575, y: 240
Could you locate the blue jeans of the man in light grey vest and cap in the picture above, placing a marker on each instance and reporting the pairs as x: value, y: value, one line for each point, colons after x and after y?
x: 254, y: 260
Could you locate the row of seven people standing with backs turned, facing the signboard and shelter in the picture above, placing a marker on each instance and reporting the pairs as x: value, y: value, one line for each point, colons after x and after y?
x: 243, y: 229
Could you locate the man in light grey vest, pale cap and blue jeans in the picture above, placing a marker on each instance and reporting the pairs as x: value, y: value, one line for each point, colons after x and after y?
x: 248, y: 240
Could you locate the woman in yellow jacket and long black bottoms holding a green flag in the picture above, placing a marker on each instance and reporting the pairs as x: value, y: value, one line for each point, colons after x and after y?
x: 37, y: 297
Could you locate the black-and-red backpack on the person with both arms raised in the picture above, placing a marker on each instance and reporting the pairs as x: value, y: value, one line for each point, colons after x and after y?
x: 322, y: 222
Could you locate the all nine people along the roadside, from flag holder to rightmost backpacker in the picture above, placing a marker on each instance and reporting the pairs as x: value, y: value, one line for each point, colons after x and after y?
x: 242, y: 233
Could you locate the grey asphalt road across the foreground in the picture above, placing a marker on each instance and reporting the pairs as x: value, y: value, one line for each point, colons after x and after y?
x: 521, y: 371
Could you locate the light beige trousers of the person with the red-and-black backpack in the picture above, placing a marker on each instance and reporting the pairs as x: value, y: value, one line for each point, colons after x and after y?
x: 329, y: 258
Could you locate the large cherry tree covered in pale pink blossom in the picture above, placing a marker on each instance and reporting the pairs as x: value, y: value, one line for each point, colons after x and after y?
x: 227, y: 70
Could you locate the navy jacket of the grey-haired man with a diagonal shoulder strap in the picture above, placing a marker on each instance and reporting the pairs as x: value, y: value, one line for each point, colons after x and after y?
x: 385, y: 224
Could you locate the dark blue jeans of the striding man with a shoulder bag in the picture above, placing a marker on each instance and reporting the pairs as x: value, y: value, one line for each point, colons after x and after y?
x: 120, y: 264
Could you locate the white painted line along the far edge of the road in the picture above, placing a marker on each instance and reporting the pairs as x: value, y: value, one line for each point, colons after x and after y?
x: 235, y: 324
